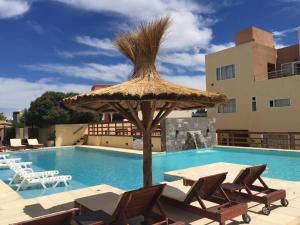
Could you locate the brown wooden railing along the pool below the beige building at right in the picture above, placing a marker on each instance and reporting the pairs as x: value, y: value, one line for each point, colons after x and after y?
x: 283, y: 140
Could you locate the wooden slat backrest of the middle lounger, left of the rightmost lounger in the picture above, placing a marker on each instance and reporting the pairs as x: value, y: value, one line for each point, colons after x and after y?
x: 205, y: 187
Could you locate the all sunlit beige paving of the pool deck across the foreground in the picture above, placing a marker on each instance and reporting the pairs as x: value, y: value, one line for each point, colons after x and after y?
x: 14, y: 208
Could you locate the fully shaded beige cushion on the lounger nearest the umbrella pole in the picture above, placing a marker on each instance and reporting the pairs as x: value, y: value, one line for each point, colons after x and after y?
x: 107, y: 202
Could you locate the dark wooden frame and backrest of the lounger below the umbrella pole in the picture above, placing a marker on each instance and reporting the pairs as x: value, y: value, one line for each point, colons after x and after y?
x: 131, y: 204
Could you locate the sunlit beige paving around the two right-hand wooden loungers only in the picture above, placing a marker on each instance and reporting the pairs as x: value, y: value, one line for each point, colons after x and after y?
x: 279, y: 215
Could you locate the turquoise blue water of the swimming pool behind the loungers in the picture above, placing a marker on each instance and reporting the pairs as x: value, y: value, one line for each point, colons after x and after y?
x: 93, y: 167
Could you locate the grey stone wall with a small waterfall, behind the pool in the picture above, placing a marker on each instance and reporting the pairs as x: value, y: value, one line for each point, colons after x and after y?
x: 174, y: 132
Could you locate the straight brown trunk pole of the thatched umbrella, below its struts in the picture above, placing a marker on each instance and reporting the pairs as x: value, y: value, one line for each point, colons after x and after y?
x: 147, y: 161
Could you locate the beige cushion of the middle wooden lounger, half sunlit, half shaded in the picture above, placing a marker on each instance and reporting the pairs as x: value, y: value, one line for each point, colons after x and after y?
x: 176, y: 190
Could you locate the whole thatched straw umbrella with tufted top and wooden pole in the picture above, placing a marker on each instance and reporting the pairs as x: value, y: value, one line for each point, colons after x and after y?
x: 145, y: 91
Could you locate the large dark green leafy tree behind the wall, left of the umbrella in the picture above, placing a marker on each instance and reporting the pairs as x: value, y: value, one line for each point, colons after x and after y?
x: 48, y: 110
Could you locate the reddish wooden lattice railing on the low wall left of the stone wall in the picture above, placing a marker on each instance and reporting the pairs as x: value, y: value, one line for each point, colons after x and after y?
x: 117, y: 129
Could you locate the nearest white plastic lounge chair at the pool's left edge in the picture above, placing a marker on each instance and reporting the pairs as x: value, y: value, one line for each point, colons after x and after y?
x: 56, y: 180
